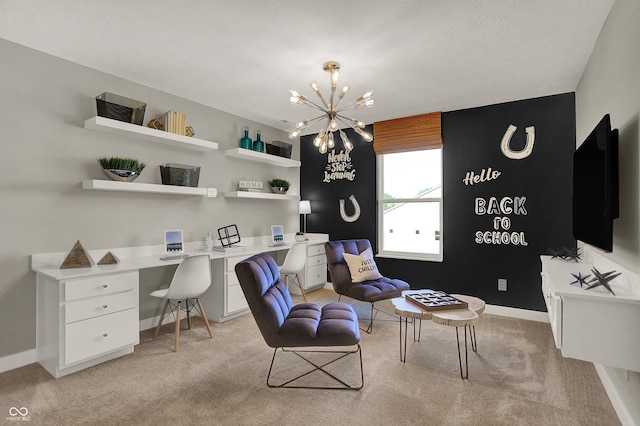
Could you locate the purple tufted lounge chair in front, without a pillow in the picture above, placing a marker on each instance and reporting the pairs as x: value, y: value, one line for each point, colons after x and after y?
x: 302, y: 328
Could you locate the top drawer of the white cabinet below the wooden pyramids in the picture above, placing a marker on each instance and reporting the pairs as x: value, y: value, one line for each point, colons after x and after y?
x: 98, y: 286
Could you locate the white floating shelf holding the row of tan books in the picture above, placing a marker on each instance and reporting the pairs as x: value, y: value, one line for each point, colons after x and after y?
x: 121, y: 128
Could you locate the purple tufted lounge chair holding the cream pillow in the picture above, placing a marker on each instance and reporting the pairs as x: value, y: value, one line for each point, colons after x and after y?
x: 367, y: 291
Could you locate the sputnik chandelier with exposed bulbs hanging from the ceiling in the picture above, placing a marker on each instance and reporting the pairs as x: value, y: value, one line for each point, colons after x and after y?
x: 332, y: 113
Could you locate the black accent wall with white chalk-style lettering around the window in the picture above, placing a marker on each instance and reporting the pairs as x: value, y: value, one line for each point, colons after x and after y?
x: 537, y: 210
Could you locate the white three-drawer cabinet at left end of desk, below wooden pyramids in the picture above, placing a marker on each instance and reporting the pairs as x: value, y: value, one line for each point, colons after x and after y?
x: 85, y: 321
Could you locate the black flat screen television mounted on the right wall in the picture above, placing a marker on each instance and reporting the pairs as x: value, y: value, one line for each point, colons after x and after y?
x: 595, y: 186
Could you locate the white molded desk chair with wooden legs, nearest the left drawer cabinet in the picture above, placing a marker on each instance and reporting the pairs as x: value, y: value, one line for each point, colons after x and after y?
x: 191, y: 279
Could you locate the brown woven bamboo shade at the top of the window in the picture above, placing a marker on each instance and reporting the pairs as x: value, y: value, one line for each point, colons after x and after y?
x: 407, y: 134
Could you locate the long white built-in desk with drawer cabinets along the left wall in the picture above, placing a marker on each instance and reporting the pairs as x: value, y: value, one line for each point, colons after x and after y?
x: 86, y: 316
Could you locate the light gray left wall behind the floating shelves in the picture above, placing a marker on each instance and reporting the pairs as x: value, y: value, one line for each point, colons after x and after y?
x: 46, y: 153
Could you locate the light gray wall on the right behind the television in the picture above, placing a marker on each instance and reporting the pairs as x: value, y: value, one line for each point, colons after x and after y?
x: 611, y: 84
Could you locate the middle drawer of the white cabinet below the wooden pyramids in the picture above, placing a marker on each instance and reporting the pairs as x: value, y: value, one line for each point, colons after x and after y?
x: 96, y: 306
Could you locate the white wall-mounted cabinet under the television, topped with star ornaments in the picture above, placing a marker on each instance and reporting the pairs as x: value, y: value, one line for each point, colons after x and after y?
x: 592, y: 325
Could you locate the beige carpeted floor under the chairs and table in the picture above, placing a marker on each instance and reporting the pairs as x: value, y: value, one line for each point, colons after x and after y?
x: 517, y: 377
